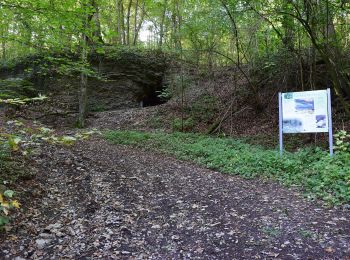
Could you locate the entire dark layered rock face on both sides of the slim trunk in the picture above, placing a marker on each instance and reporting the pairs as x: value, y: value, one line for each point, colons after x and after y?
x: 128, y: 77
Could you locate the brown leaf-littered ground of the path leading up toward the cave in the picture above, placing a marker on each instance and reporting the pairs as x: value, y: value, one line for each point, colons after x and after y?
x: 94, y: 200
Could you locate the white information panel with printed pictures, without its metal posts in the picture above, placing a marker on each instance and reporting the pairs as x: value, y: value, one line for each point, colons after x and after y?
x: 305, y: 112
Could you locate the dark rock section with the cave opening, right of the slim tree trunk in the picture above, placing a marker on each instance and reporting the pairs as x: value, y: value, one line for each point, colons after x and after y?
x: 131, y: 78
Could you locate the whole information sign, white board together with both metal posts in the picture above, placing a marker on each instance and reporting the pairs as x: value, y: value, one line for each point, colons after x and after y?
x: 305, y: 112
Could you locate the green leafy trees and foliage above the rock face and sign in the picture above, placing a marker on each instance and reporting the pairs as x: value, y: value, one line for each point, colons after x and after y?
x: 289, y: 37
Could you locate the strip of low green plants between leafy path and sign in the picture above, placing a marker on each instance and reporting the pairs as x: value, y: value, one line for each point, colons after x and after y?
x: 313, y: 170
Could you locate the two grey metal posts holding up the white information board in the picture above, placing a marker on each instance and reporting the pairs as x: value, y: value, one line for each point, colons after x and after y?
x: 330, y: 123
